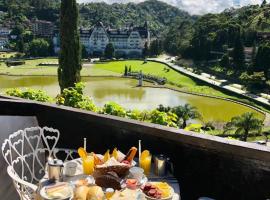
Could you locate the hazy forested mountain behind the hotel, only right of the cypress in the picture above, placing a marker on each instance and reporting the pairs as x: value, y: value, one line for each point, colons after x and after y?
x: 159, y: 14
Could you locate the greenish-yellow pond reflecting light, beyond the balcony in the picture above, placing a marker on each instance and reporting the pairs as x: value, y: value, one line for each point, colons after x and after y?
x: 124, y: 92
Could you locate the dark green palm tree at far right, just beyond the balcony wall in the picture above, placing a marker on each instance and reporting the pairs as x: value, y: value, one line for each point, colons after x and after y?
x: 244, y: 124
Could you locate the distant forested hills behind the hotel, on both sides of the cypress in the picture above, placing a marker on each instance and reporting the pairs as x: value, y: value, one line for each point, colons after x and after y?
x: 159, y: 15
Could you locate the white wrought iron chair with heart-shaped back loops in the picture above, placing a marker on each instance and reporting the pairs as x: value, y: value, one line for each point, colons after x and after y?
x: 26, y: 152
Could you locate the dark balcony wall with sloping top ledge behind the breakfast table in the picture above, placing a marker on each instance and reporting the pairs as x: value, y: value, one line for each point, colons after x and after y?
x: 204, y: 165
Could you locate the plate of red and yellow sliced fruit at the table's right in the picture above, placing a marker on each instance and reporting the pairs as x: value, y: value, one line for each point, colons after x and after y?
x: 158, y: 191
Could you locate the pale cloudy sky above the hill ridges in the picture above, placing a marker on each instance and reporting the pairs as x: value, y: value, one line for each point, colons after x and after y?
x: 197, y: 7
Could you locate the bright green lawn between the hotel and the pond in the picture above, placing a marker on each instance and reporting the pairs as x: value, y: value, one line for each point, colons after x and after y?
x: 116, y: 68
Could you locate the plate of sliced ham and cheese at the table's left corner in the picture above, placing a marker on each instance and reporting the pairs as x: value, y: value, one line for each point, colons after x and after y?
x: 59, y: 191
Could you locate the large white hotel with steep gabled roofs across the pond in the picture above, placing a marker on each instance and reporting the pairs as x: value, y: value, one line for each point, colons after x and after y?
x: 128, y: 41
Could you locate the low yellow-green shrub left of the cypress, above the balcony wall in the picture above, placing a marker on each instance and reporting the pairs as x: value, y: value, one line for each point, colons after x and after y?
x: 31, y: 94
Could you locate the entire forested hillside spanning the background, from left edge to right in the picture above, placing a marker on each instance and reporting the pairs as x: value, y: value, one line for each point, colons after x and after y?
x: 191, y: 36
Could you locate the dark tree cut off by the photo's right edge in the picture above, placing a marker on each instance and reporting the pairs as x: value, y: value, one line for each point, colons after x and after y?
x: 262, y: 61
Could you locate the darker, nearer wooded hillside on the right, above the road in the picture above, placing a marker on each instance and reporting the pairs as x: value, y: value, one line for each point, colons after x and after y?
x: 217, y: 32
